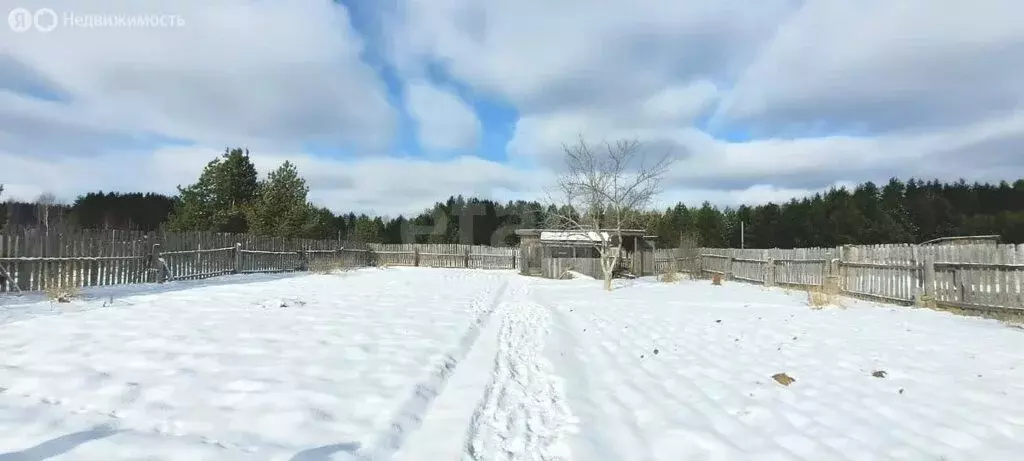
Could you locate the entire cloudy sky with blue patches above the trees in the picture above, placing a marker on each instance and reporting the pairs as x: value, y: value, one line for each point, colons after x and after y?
x: 388, y: 106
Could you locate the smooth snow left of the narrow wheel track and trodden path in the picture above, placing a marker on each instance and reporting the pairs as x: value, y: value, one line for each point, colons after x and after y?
x: 298, y: 368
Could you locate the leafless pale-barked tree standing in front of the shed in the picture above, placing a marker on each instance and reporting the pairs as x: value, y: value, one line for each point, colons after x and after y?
x: 605, y: 192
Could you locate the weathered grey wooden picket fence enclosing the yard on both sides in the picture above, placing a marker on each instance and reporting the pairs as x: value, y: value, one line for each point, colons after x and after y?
x: 972, y: 276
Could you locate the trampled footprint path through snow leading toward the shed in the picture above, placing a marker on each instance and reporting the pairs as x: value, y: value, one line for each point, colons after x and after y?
x: 523, y: 415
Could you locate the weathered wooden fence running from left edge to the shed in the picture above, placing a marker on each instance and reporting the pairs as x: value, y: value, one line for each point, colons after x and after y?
x: 35, y: 261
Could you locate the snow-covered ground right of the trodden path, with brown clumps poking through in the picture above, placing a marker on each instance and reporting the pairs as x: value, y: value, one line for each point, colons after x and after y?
x: 669, y: 372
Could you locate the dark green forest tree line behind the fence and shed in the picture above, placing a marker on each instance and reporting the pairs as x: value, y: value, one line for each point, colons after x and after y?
x: 230, y: 197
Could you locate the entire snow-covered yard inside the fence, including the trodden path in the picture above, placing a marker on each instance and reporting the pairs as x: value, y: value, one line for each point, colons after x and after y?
x: 426, y: 365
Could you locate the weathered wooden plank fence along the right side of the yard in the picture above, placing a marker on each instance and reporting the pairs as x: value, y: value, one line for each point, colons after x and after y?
x: 972, y: 277
